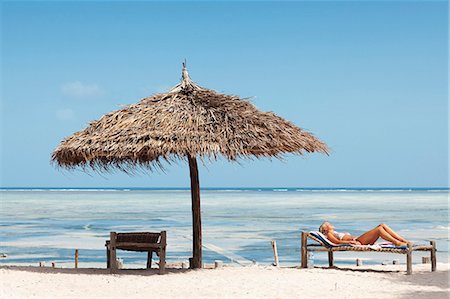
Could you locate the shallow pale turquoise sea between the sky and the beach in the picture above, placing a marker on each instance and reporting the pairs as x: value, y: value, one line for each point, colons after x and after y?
x: 47, y: 225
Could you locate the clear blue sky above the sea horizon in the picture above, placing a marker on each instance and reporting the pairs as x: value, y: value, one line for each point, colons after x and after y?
x: 368, y: 78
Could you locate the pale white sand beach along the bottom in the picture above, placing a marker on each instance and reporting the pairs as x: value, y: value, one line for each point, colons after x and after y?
x: 228, y: 282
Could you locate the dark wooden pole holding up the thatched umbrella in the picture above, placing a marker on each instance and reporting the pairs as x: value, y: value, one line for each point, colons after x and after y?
x: 196, y: 216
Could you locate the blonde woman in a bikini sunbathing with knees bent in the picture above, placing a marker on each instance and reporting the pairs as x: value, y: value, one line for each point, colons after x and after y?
x: 368, y: 238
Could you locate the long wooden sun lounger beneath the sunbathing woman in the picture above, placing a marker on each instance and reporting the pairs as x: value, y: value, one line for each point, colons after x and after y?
x: 319, y: 246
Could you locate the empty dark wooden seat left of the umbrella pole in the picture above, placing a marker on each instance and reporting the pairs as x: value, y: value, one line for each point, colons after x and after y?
x: 140, y: 241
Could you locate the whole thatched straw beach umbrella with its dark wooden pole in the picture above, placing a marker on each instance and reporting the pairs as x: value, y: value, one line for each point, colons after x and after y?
x: 186, y: 122
